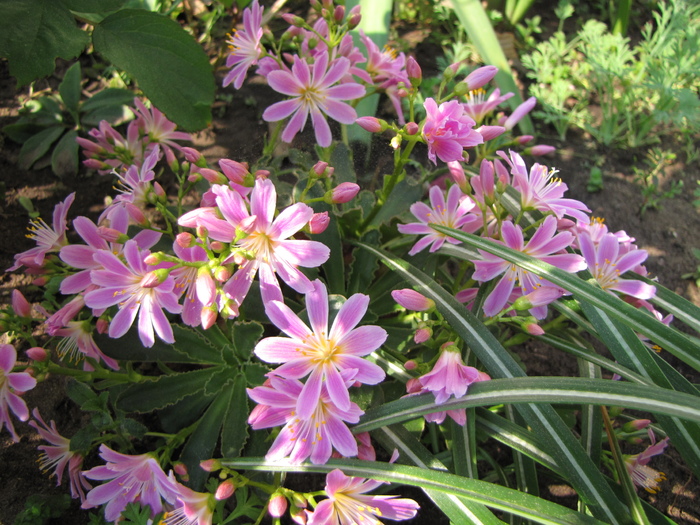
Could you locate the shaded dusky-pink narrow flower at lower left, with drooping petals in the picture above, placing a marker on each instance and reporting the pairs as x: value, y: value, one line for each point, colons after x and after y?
x: 58, y: 456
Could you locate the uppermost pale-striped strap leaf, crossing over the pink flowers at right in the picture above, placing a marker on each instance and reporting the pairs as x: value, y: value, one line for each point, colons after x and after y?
x: 671, y: 340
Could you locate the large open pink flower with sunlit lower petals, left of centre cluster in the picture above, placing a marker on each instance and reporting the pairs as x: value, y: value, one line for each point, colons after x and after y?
x: 130, y: 286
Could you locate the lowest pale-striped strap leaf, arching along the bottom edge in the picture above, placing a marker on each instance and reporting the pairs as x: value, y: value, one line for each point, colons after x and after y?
x: 491, y: 495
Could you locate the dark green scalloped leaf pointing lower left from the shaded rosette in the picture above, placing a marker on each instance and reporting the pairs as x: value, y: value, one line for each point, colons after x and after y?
x: 164, y: 390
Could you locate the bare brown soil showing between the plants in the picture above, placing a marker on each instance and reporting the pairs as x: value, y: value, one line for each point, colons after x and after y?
x: 668, y: 234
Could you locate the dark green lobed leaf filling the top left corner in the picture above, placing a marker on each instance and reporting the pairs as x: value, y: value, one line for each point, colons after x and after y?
x: 33, y: 33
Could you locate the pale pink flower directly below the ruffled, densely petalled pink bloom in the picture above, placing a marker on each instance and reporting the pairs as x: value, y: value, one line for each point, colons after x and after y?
x: 454, y: 213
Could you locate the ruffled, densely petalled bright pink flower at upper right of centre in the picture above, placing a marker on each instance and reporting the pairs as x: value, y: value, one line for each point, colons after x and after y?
x: 448, y: 130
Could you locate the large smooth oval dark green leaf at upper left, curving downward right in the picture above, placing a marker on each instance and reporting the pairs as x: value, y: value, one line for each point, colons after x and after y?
x: 170, y: 67
